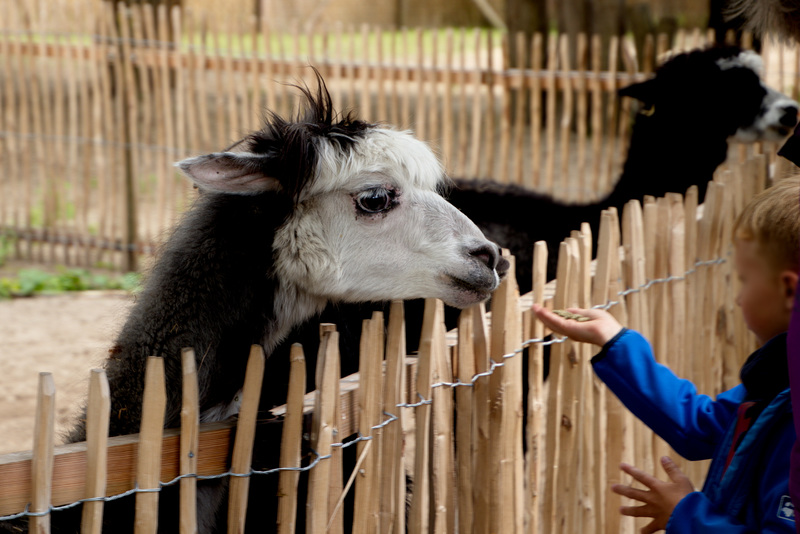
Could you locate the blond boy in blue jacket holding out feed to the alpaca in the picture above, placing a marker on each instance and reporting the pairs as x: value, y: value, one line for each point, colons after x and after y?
x: 748, y: 430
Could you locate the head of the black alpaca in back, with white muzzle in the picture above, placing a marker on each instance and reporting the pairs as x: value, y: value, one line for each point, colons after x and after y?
x: 716, y: 93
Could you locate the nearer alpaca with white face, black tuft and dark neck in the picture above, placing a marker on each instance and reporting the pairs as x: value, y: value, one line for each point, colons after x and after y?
x: 304, y: 213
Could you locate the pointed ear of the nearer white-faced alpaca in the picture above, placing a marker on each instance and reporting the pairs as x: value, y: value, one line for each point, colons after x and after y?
x: 238, y: 173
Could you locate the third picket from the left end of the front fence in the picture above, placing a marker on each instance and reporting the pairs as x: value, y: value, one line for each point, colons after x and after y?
x: 148, y: 458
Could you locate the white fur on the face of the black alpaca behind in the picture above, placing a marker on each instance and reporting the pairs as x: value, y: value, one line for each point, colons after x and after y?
x: 767, y: 126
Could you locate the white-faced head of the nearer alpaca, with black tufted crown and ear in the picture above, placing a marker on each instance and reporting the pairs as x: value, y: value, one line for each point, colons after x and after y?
x: 366, y: 220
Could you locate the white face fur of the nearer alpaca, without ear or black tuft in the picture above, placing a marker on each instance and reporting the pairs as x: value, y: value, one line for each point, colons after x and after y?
x: 372, y: 227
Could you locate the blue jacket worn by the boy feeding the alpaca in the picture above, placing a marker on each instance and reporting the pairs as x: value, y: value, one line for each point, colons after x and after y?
x: 753, y: 493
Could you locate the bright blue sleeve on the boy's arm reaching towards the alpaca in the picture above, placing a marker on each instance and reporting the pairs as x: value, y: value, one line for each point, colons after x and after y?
x: 692, y: 424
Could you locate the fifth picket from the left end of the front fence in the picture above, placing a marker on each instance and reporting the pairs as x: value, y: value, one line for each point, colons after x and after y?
x: 241, y: 462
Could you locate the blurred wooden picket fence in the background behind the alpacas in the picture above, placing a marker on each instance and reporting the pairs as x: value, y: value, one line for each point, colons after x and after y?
x: 98, y: 101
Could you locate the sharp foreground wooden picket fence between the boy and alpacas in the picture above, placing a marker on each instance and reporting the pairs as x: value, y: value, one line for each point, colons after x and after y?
x: 664, y: 270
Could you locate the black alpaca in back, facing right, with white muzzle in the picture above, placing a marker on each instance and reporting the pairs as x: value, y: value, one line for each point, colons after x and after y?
x: 694, y: 105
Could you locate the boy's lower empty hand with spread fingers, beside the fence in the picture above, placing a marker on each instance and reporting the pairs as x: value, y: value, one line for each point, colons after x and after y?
x: 660, y: 500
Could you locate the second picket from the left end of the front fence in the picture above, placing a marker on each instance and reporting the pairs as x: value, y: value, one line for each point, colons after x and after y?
x: 97, y: 413
